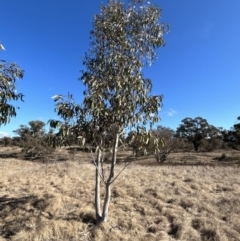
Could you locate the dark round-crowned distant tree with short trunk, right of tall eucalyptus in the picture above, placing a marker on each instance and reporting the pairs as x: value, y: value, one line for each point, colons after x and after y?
x: 195, y: 130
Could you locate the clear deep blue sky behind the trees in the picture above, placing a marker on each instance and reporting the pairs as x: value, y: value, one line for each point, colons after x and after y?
x: 198, y: 71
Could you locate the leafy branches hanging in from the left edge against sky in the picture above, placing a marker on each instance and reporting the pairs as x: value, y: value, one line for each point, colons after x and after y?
x: 9, y: 73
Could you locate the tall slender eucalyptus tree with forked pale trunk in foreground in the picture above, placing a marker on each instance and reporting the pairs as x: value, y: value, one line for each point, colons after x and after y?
x: 123, y: 40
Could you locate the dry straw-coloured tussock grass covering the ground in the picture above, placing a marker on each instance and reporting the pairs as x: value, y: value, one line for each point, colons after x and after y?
x: 193, y: 197
